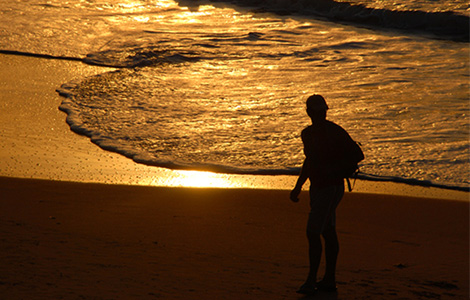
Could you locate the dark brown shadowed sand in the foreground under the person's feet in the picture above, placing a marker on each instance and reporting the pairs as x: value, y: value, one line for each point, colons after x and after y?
x: 63, y: 240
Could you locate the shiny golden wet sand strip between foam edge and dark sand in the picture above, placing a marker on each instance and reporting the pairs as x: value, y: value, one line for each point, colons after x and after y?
x: 36, y: 142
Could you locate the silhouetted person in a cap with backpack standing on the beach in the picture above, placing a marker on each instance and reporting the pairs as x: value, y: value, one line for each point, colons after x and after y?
x: 326, y: 148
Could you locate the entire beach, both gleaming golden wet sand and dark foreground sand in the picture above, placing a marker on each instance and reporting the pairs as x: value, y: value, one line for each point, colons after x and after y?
x: 78, y: 222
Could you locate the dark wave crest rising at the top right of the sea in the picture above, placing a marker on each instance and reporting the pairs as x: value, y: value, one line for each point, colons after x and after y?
x: 445, y: 25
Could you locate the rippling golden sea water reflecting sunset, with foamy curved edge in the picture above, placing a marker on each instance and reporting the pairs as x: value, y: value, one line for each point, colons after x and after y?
x: 222, y: 87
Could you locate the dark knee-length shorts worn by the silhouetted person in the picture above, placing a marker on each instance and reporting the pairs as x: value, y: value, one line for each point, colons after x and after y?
x: 323, y: 203
